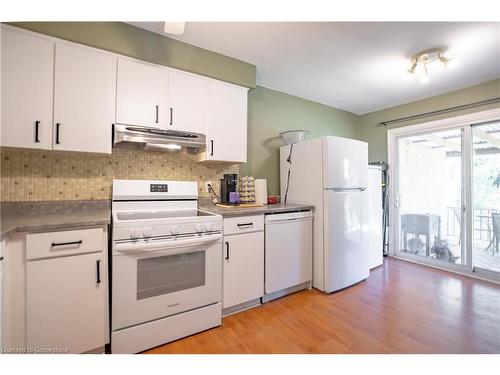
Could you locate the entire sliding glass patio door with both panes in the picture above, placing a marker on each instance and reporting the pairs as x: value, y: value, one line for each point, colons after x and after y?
x: 446, y: 197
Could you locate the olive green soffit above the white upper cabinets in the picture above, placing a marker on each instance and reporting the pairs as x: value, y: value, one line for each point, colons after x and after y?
x: 131, y: 41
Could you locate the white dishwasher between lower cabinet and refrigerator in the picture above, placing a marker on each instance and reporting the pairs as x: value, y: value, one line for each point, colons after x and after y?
x: 288, y: 253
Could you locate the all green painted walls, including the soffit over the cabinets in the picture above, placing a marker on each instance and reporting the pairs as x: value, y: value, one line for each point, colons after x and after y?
x: 269, y: 111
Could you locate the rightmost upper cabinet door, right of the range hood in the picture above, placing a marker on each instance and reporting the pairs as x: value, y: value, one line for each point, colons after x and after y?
x: 227, y: 123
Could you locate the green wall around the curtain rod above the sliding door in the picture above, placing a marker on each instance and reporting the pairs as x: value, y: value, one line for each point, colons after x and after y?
x: 377, y: 136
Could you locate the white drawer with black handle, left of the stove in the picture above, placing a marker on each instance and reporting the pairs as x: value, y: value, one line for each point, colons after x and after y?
x: 71, y: 242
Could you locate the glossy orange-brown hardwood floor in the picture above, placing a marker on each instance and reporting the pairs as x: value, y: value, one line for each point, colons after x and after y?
x: 401, y: 308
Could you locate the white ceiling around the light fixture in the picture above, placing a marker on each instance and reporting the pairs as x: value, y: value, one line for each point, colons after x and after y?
x: 357, y: 67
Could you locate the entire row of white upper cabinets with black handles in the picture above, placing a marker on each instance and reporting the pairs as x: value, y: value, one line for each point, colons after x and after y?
x: 65, y: 96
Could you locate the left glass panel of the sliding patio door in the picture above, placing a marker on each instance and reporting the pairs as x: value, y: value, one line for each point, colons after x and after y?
x: 431, y: 196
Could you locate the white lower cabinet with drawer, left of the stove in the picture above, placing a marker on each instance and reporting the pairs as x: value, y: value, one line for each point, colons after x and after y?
x: 66, y: 292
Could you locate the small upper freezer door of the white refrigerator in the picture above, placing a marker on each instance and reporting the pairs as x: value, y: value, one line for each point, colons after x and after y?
x: 345, y: 163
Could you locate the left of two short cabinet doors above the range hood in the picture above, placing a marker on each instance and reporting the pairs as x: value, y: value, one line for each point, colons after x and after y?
x: 140, y: 95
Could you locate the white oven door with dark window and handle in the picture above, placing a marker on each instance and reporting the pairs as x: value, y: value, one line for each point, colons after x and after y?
x: 161, y: 277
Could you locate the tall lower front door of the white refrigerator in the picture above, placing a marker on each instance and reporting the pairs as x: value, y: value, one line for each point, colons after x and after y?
x: 346, y: 239
